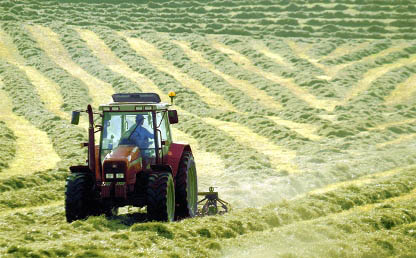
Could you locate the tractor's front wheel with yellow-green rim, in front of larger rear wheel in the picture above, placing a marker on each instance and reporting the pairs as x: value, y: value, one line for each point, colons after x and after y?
x: 160, y: 197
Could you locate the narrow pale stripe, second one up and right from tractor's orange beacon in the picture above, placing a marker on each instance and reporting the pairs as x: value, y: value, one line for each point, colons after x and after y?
x: 244, y: 86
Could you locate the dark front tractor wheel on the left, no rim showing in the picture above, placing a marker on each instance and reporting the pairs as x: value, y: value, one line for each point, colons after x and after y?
x: 79, y: 196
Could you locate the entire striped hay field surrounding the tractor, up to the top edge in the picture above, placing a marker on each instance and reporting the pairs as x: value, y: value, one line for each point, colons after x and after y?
x: 301, y: 113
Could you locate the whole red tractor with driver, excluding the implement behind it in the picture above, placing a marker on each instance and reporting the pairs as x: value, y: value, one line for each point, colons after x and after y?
x: 135, y: 163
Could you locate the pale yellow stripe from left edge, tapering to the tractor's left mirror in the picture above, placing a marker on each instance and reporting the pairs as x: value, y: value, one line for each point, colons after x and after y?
x: 47, y: 89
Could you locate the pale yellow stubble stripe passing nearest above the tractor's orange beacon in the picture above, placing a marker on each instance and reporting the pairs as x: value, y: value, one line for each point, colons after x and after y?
x: 155, y: 57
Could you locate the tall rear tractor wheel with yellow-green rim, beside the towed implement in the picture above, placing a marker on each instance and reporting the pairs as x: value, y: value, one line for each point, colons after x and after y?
x: 186, y: 187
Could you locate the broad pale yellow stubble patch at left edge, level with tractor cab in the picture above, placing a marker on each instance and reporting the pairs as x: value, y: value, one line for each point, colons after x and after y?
x: 34, y: 151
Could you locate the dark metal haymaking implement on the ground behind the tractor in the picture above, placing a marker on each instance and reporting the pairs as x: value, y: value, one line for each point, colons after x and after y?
x: 211, y: 207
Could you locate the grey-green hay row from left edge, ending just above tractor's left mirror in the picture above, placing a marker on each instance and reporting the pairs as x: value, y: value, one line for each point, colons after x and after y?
x: 73, y: 91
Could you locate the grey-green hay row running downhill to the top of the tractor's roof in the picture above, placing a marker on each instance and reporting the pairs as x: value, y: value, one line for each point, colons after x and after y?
x: 84, y: 57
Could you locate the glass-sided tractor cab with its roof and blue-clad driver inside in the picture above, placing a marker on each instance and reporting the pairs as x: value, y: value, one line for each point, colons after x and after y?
x: 138, y: 122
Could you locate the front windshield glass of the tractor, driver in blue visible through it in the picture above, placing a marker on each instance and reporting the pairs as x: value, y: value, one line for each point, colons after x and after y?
x: 127, y: 128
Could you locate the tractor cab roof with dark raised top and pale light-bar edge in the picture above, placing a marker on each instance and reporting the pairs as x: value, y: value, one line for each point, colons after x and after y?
x: 135, y: 102
